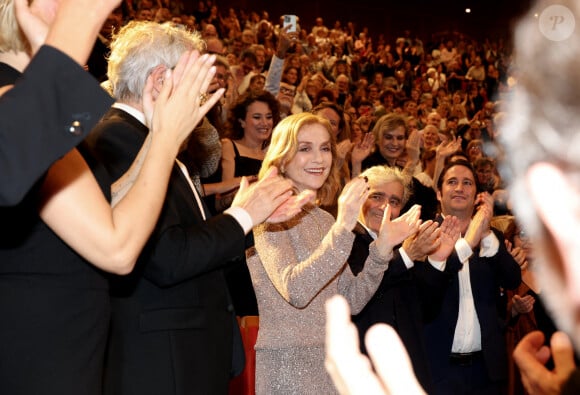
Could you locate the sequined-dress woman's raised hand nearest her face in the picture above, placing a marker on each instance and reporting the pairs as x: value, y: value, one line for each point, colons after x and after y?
x: 353, y: 196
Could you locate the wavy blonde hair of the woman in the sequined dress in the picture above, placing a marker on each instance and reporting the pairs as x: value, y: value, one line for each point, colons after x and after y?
x: 284, y: 146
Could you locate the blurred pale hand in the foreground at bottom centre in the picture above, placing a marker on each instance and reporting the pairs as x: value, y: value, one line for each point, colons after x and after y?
x: 351, y: 371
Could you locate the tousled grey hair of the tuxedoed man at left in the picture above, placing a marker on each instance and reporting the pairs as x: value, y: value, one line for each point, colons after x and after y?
x: 141, y: 46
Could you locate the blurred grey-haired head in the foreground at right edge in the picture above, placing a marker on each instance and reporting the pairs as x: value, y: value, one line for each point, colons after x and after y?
x: 541, y: 136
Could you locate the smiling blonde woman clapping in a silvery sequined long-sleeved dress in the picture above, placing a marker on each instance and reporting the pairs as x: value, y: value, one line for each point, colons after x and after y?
x: 297, y: 265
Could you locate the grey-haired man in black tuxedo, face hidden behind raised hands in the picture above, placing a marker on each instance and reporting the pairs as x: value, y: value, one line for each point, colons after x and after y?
x: 173, y: 327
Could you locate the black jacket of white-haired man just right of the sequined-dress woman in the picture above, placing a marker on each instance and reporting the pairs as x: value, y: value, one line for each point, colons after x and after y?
x: 400, y: 301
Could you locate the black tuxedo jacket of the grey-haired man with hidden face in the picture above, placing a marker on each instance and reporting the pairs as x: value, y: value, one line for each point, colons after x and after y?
x: 173, y: 327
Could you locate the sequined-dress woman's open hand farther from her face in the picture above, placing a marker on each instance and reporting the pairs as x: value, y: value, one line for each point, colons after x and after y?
x: 394, y: 232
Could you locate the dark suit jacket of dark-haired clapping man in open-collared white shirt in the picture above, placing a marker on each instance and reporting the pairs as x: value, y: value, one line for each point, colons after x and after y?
x: 487, y: 275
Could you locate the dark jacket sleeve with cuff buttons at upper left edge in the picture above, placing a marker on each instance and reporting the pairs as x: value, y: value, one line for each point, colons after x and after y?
x: 47, y: 113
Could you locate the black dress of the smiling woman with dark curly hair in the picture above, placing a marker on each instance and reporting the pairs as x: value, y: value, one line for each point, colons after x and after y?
x: 237, y: 274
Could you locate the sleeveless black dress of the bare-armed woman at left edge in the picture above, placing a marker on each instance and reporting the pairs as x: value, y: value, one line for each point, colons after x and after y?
x: 54, y: 305
